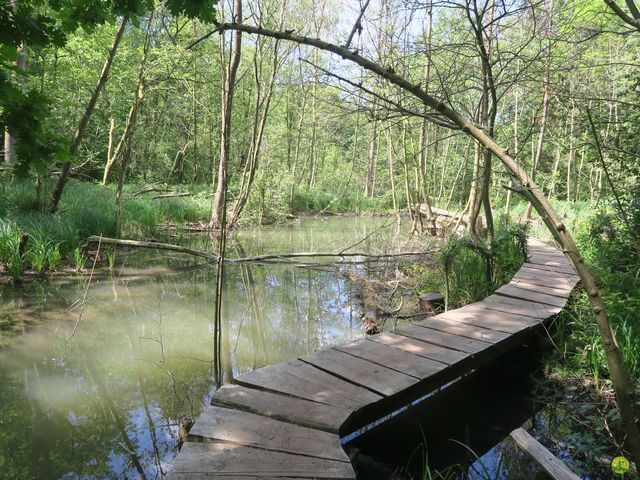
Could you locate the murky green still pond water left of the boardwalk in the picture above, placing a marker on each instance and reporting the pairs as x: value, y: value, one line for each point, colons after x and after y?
x: 105, y: 400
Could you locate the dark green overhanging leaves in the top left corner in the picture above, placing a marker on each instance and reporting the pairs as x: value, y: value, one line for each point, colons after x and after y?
x: 24, y: 110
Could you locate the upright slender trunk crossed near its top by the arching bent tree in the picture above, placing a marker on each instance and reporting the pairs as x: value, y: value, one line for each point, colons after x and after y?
x: 227, y: 103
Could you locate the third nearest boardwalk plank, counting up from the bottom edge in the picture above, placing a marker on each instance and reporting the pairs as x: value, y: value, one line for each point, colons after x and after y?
x: 283, y: 407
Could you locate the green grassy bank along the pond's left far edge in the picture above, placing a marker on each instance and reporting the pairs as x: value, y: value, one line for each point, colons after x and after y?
x: 86, y: 209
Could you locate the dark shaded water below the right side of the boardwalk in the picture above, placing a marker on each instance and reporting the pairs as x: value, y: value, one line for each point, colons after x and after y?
x: 474, y: 414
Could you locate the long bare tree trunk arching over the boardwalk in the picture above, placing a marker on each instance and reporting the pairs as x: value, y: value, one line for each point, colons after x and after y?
x: 525, y: 185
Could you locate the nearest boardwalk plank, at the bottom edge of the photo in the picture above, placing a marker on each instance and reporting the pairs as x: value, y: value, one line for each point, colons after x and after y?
x: 224, y: 461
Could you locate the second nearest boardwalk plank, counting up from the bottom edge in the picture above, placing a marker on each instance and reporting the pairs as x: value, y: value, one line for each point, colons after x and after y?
x: 244, y: 428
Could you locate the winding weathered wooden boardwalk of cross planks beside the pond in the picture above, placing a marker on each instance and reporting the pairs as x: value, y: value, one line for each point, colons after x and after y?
x: 285, y: 421
